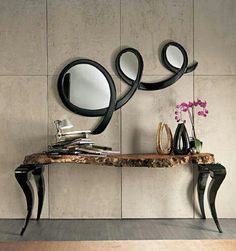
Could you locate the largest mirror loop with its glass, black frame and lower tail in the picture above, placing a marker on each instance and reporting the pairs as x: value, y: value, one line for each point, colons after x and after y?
x: 86, y: 88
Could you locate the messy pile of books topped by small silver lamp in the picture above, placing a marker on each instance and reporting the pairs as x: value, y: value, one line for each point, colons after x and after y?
x: 75, y: 142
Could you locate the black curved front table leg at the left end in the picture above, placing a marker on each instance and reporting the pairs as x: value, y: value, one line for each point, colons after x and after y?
x: 22, y: 175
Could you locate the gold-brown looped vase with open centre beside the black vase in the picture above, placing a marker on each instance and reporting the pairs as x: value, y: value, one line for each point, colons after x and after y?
x: 167, y: 148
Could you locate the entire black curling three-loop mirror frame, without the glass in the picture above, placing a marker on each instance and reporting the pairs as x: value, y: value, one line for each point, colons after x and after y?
x: 114, y: 104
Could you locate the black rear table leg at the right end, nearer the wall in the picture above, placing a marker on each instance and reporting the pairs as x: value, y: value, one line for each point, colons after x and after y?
x: 201, y: 186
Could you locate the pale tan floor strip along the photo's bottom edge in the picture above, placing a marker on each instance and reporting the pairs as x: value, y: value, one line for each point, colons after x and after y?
x: 152, y: 245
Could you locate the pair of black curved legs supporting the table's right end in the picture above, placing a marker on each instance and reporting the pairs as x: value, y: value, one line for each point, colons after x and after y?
x: 217, y: 173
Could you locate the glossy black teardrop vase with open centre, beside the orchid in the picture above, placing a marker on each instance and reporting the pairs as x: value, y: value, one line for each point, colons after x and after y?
x: 181, y: 140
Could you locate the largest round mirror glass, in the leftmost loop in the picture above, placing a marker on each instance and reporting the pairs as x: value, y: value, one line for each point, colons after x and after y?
x: 87, y: 87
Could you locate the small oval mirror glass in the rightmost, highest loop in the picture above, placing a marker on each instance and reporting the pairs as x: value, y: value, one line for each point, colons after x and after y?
x: 174, y: 56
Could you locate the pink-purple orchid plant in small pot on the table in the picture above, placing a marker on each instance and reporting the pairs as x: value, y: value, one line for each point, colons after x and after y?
x: 189, y: 107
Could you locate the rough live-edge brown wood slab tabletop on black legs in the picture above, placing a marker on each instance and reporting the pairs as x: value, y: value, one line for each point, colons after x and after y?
x: 123, y: 160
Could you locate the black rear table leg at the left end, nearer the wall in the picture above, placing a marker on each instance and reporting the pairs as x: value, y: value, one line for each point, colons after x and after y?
x: 39, y: 180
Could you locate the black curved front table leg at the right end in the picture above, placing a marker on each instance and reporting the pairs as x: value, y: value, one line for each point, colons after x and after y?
x: 218, y: 174
